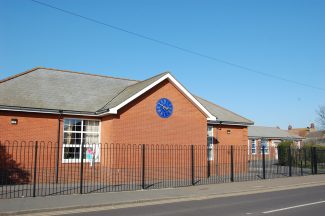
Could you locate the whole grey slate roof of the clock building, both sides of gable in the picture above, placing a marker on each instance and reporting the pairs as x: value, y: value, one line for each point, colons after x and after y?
x: 53, y: 89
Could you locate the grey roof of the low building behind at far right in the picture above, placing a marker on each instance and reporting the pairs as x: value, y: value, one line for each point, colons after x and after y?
x: 270, y: 132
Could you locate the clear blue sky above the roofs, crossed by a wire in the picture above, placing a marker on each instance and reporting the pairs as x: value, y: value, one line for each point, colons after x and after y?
x: 280, y: 37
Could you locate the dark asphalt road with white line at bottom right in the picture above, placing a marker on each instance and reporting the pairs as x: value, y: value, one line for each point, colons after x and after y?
x: 297, y: 202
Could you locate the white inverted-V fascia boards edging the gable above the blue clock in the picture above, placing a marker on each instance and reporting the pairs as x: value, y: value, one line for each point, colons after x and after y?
x: 177, y: 84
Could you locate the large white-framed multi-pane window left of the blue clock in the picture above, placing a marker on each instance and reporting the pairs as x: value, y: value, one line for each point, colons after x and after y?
x: 77, y: 132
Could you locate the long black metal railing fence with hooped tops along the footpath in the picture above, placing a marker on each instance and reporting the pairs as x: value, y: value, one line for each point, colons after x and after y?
x: 30, y: 169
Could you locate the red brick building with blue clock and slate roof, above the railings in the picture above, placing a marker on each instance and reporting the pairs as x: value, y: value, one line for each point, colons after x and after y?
x: 69, y: 108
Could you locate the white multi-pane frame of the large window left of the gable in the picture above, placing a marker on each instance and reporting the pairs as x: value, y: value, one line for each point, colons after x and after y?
x: 85, y: 145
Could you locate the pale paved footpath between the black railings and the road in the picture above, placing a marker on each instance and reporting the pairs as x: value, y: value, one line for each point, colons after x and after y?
x: 65, y: 204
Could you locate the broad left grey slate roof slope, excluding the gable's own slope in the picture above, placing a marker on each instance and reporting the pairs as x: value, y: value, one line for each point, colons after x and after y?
x: 63, y: 90
